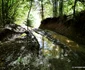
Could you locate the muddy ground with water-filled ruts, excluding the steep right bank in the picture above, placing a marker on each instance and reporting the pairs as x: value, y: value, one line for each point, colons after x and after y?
x: 54, y: 51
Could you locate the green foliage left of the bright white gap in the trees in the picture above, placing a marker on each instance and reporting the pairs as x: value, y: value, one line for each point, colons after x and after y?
x: 13, y: 11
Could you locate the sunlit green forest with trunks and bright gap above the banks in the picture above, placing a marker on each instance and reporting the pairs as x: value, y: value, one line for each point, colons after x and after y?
x: 21, y: 11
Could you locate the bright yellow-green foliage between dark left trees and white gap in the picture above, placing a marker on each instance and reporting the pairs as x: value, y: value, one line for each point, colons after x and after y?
x: 21, y: 13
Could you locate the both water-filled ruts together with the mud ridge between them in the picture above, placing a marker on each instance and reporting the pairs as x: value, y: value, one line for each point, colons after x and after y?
x: 55, y: 45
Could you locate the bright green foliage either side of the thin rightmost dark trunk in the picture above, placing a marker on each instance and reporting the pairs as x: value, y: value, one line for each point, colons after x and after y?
x: 68, y: 7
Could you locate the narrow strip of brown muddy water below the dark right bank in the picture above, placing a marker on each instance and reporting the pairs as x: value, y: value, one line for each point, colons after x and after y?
x: 71, y: 44
